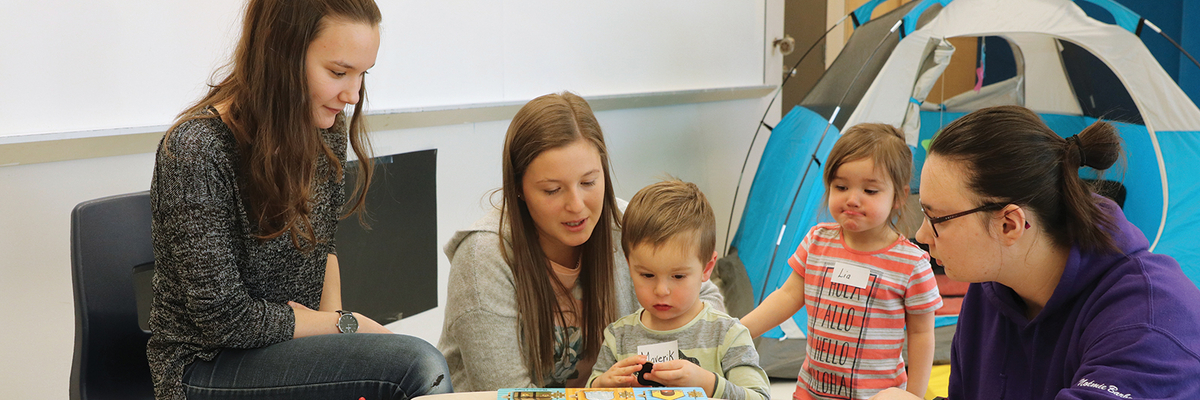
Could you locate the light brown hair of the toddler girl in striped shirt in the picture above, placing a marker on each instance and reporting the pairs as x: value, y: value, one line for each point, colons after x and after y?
x: 886, y: 147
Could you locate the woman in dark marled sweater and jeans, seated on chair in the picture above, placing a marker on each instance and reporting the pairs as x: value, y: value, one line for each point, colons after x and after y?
x: 247, y: 194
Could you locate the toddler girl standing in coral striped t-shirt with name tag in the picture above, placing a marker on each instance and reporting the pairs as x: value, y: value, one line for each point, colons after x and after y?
x: 866, y: 285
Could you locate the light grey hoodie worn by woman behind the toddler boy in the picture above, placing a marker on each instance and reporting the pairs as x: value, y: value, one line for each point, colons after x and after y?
x: 479, y: 336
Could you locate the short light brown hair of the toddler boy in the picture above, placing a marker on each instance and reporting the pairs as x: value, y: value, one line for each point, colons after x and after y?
x: 663, y: 212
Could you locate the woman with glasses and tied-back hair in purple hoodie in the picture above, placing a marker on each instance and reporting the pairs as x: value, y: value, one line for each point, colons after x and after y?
x: 1066, y: 300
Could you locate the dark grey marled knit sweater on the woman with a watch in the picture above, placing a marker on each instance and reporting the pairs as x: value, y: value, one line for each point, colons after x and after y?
x: 215, y: 285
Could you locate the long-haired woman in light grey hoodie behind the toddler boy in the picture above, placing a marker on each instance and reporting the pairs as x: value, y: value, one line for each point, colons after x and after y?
x: 535, y: 283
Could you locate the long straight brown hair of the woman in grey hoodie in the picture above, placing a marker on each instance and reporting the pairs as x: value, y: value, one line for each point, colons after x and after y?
x: 547, y: 123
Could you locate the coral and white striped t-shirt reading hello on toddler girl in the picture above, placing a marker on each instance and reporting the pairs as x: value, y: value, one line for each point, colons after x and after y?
x: 857, y: 303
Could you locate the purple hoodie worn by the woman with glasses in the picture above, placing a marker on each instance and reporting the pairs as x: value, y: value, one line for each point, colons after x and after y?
x: 1117, y: 327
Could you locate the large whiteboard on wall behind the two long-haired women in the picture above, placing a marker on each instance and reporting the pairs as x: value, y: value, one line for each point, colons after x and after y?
x: 71, y: 67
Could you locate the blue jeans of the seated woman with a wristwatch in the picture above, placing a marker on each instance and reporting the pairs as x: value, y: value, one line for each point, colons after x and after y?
x: 327, y: 367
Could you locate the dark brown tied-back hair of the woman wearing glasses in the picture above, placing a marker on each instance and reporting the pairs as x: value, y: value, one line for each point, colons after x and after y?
x: 1012, y: 157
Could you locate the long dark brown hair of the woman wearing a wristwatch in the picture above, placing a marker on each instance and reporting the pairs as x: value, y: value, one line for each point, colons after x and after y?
x: 271, y: 114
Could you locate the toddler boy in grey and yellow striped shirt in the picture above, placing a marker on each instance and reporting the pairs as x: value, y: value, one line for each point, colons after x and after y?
x: 669, y: 235
